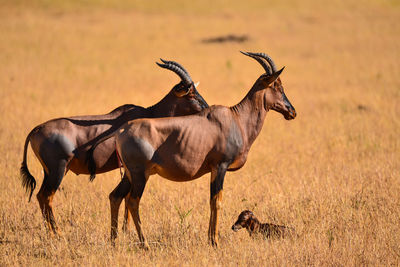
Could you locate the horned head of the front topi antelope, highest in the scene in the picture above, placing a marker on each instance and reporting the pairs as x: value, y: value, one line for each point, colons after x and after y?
x: 274, y: 96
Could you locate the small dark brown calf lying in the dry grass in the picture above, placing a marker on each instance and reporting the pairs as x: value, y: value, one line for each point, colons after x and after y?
x: 247, y: 220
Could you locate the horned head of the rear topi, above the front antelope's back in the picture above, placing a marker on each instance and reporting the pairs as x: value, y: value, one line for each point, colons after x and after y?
x: 186, y: 99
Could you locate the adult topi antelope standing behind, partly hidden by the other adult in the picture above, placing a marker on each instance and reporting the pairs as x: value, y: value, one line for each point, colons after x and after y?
x: 62, y: 144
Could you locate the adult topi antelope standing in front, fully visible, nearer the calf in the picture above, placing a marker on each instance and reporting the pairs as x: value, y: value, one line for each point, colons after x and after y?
x: 215, y: 140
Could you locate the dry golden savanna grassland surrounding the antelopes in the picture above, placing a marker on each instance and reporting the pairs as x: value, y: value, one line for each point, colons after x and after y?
x: 333, y: 173
